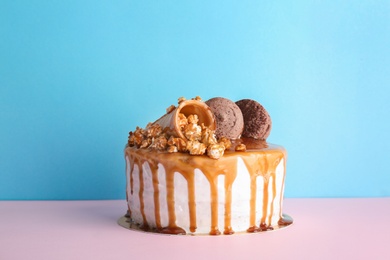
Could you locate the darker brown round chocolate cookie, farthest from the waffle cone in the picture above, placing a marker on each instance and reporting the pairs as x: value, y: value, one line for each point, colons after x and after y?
x: 257, y: 122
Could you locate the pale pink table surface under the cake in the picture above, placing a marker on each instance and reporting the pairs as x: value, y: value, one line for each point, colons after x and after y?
x: 322, y: 229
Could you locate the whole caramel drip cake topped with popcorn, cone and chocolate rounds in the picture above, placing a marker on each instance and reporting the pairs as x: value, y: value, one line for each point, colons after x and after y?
x: 205, y: 168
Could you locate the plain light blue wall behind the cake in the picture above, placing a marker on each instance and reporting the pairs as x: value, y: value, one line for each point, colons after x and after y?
x: 77, y: 76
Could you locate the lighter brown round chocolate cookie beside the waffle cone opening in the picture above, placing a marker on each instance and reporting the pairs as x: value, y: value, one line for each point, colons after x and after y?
x: 228, y: 116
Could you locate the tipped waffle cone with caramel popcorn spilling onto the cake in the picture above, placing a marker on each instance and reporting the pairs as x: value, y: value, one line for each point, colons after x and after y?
x: 190, y: 127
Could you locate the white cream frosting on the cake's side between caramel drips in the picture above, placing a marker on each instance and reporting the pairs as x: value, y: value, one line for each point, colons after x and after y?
x: 240, y: 200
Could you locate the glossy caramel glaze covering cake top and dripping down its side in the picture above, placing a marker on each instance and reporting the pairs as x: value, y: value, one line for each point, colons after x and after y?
x: 261, y: 160
